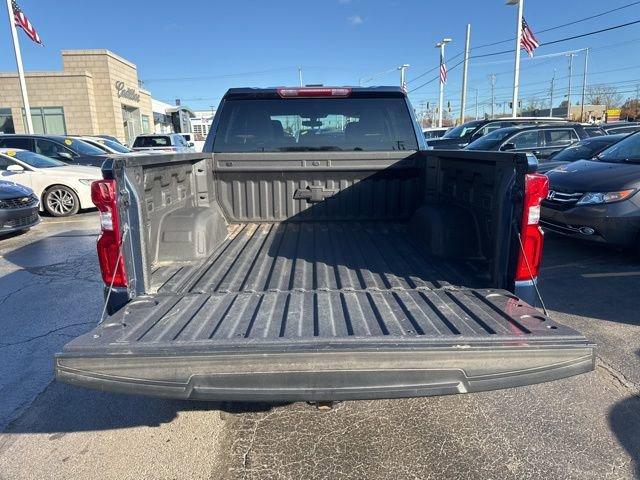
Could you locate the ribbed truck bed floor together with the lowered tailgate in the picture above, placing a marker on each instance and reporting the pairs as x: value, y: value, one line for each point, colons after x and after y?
x: 321, y: 311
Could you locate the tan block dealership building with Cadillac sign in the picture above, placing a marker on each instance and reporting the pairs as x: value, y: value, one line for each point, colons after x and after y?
x: 96, y: 93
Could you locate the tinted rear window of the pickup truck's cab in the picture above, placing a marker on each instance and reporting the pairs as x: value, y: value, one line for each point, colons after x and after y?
x: 315, y: 124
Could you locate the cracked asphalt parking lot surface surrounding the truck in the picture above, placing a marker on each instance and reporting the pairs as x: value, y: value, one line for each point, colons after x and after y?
x: 580, y: 427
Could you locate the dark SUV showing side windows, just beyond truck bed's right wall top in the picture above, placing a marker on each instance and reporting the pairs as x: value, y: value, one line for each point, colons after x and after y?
x: 540, y: 140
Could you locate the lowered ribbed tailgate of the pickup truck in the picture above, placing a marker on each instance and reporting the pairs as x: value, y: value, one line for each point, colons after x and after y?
x: 289, y: 346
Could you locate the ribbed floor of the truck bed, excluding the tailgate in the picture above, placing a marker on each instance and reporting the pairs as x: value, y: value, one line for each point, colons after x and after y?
x: 316, y: 256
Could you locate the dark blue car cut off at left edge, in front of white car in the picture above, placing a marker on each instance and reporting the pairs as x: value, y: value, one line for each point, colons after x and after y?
x: 18, y: 208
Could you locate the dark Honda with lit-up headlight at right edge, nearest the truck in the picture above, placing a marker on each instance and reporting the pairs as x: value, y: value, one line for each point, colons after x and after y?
x: 597, y: 199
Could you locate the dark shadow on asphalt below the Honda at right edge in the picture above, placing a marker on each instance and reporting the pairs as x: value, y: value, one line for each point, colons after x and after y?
x: 590, y: 280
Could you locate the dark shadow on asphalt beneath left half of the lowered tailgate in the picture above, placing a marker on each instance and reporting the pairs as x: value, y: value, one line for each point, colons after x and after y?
x: 64, y: 409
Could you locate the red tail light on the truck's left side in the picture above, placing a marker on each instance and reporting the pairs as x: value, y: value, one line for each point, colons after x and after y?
x: 104, y: 196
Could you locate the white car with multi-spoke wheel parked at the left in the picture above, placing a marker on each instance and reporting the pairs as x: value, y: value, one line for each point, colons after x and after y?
x: 63, y: 189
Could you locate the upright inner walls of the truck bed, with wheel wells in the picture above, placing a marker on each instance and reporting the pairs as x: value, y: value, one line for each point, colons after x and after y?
x: 459, y: 204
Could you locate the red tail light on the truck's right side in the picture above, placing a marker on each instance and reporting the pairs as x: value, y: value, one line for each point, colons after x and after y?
x: 536, y: 190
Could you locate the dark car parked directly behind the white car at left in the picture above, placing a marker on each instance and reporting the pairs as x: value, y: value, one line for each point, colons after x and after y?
x: 69, y: 150
